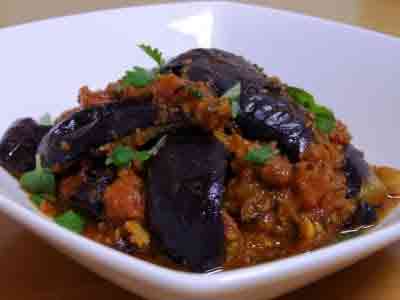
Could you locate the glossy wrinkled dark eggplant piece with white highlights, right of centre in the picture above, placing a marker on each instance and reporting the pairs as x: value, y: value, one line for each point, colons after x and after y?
x: 269, y: 117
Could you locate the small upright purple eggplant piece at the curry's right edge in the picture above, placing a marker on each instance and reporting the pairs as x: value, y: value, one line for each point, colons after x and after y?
x: 356, y: 170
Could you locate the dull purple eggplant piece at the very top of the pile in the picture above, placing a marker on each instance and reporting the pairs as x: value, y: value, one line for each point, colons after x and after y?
x: 219, y: 69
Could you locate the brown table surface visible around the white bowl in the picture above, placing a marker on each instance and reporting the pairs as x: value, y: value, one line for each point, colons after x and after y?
x: 32, y: 270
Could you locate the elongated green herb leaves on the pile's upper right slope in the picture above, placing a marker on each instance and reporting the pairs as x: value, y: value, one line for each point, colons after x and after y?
x: 324, y: 118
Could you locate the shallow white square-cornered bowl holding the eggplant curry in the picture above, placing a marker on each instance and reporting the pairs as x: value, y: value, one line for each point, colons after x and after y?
x: 353, y: 71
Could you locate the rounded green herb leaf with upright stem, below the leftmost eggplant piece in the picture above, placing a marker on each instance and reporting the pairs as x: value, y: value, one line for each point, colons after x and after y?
x: 39, y: 181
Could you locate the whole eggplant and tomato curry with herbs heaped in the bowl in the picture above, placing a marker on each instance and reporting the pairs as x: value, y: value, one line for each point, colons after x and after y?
x: 202, y: 163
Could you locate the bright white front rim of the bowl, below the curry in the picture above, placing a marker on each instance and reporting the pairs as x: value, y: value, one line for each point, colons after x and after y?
x: 43, y: 226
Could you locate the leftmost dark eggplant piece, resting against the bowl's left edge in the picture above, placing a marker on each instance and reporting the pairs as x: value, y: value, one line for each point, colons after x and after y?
x: 19, y: 144
